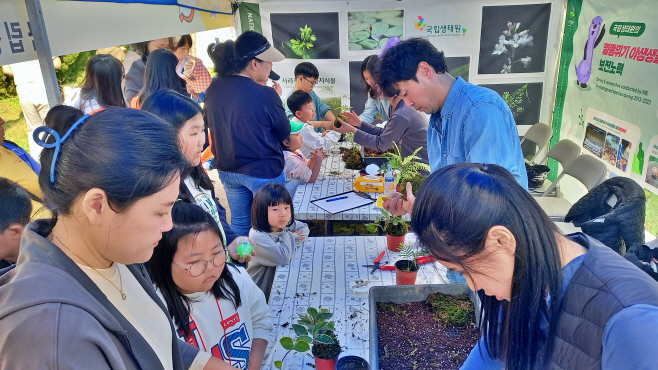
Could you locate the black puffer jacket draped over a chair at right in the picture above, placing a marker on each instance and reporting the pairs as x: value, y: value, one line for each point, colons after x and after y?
x: 618, y: 227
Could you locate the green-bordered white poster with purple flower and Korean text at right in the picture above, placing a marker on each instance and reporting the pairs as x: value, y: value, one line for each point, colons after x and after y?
x: 607, y: 95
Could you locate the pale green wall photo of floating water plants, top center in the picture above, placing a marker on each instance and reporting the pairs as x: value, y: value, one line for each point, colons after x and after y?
x: 370, y: 30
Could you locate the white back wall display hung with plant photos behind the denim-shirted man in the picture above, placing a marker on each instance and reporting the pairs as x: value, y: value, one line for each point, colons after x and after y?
x: 467, y: 31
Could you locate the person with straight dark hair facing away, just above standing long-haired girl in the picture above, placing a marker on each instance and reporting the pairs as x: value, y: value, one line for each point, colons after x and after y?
x: 160, y: 75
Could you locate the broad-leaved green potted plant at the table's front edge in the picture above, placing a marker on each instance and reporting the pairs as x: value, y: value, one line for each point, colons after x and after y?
x: 313, y: 332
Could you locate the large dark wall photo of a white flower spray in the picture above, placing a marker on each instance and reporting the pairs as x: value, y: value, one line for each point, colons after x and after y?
x: 514, y: 38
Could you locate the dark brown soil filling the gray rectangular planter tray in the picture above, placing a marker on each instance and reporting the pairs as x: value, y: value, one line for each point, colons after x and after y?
x: 411, y: 337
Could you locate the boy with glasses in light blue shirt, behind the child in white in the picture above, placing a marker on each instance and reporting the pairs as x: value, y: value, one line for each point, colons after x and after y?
x: 306, y: 76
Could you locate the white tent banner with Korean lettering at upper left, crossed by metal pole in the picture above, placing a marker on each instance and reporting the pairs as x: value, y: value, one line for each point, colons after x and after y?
x: 75, y: 26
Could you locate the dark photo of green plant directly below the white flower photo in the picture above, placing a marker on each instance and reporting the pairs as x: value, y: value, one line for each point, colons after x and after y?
x: 523, y: 99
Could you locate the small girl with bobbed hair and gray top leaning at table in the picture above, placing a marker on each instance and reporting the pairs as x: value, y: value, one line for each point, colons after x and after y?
x: 275, y: 232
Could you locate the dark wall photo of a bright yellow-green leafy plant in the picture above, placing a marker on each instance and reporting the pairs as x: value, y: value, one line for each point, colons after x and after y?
x: 306, y: 35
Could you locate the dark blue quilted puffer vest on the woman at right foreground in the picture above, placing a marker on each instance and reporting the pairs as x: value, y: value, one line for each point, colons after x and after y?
x: 594, y: 295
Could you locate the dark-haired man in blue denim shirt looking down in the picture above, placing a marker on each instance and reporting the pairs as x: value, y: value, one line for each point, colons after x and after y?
x: 469, y: 123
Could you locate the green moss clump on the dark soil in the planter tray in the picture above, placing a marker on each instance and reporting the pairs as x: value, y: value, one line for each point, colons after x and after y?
x: 452, y: 310
